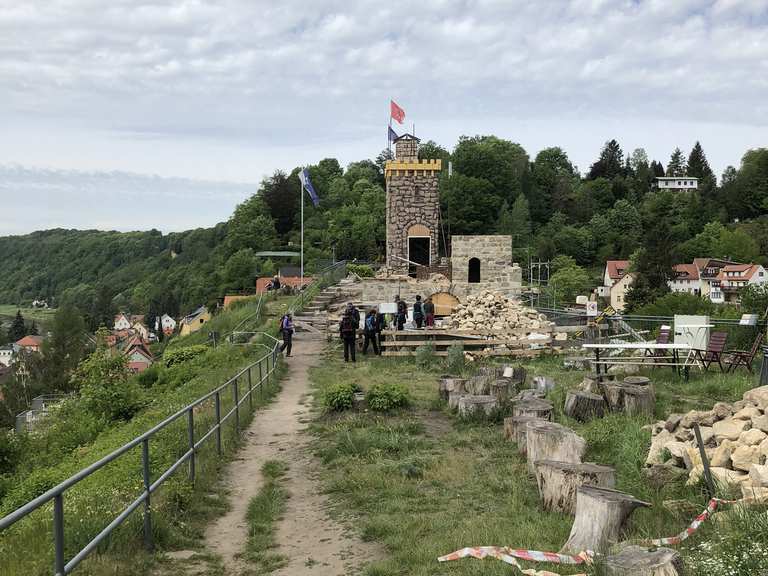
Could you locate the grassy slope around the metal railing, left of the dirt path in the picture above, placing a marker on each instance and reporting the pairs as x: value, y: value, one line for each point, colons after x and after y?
x: 180, y: 510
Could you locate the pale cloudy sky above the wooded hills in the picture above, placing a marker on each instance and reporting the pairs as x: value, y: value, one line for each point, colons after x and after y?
x: 128, y: 114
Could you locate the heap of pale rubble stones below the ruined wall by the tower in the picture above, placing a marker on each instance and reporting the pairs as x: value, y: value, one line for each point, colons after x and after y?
x: 492, y: 311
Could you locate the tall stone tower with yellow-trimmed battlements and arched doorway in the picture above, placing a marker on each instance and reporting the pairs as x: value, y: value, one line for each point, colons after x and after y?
x: 413, y: 207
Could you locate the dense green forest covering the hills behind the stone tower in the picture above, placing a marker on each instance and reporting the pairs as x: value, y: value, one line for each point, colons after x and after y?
x: 552, y: 211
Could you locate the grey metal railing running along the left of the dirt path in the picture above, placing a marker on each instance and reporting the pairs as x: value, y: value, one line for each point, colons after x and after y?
x: 56, y: 494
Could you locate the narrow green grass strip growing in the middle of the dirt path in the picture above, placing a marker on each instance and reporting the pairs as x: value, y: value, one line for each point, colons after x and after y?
x: 264, y: 510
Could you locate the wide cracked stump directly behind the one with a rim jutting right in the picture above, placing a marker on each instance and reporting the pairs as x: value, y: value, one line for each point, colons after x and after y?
x: 559, y: 481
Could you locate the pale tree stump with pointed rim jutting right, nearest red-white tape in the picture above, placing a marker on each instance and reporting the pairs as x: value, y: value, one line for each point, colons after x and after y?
x: 601, y: 516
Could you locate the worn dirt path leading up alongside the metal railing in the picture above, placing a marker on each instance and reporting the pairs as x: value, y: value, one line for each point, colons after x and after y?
x: 313, y: 542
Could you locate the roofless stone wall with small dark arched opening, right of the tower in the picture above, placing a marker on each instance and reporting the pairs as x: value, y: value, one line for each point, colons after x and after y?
x: 497, y: 271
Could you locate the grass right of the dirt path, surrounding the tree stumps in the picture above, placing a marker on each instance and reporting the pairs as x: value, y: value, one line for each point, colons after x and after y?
x: 423, y: 483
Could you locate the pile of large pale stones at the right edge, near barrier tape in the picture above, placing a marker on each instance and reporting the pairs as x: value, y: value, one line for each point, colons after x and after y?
x: 735, y: 438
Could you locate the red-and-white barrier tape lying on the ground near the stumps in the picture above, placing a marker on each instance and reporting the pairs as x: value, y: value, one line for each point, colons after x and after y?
x: 510, y: 555
